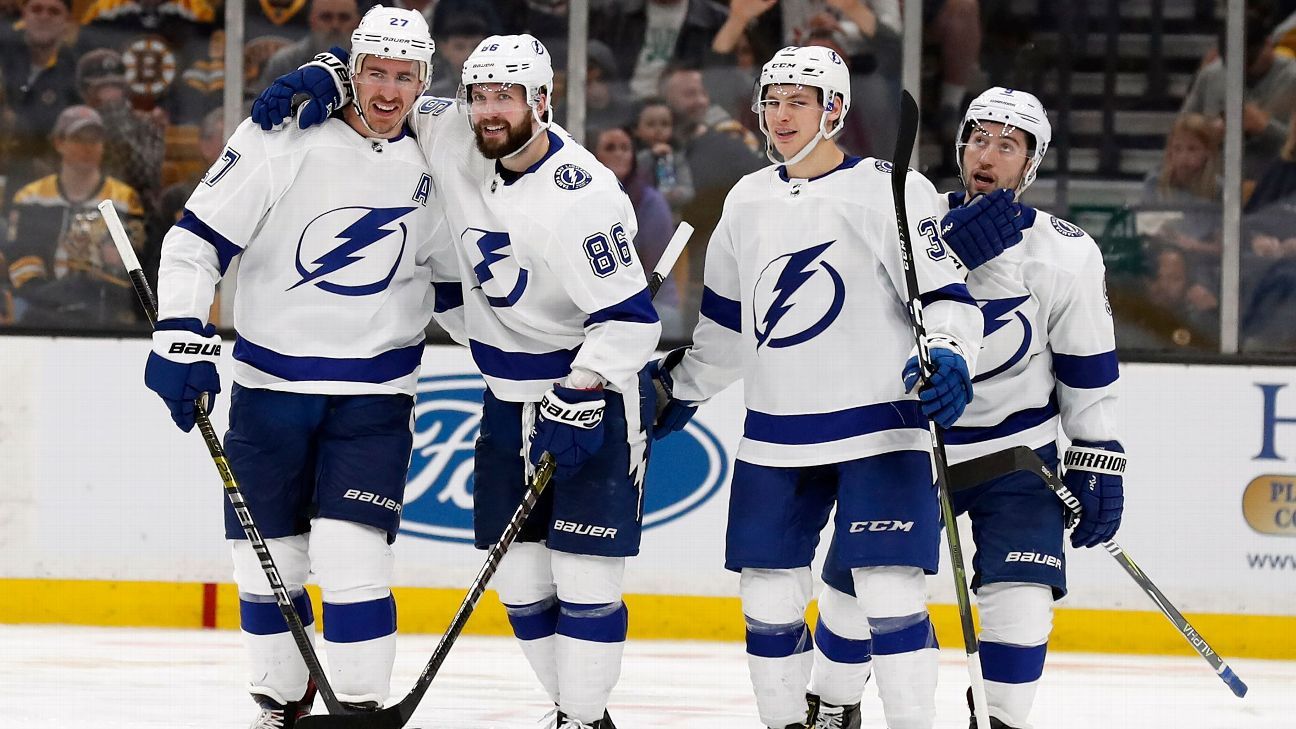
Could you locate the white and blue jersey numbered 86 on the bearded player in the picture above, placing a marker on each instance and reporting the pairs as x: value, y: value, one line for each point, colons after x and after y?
x: 553, y: 281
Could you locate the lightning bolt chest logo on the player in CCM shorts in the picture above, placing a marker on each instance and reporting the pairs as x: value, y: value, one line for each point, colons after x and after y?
x: 796, y: 298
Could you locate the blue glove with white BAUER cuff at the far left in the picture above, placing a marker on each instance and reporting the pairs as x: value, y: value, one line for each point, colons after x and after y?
x: 183, y: 366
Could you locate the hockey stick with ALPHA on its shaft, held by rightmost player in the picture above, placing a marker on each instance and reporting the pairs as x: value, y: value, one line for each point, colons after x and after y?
x: 1022, y: 459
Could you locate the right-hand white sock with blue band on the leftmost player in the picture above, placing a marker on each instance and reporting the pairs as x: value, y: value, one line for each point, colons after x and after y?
x: 361, y: 640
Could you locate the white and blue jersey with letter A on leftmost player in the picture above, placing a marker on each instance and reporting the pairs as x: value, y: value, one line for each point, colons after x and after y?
x: 339, y: 239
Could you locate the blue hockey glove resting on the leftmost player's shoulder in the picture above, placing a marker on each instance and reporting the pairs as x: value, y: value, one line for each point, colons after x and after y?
x: 322, y: 86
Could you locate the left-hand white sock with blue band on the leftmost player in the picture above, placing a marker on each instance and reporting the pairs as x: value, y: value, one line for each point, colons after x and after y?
x: 277, y: 667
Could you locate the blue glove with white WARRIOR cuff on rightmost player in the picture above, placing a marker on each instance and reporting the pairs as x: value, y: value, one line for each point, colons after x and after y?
x: 1096, y: 474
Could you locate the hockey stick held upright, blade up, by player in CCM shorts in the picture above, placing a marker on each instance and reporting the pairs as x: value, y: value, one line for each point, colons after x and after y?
x: 900, y: 169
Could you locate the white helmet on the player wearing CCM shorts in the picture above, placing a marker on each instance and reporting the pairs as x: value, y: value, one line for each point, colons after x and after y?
x: 812, y: 67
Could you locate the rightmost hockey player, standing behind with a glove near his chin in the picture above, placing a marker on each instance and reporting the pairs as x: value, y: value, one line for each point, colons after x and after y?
x: 1049, y: 360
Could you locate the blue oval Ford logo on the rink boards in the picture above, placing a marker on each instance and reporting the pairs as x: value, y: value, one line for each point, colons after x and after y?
x: 686, y: 470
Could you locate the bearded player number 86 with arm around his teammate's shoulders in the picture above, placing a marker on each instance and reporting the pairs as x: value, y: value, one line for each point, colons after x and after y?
x: 559, y: 322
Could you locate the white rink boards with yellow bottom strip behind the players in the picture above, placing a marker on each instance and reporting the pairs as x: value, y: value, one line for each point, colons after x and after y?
x: 112, y: 517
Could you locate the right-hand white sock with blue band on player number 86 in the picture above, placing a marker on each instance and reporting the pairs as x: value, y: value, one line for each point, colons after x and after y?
x: 589, y: 647
